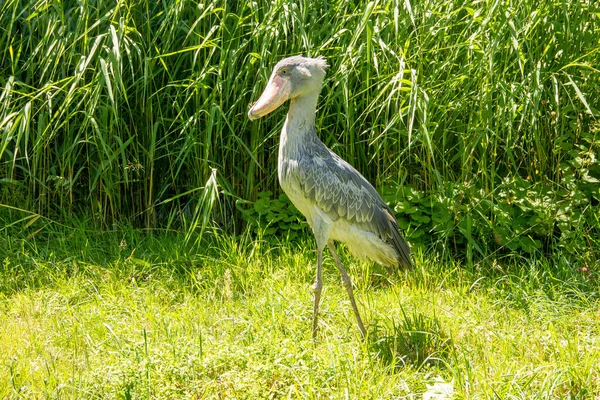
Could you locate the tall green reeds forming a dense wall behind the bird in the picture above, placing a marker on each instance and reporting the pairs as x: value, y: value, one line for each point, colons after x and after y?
x: 128, y: 109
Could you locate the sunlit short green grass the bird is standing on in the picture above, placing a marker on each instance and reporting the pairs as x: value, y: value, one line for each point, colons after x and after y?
x: 128, y: 314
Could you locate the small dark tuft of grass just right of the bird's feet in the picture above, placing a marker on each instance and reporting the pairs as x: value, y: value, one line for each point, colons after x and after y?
x: 416, y: 339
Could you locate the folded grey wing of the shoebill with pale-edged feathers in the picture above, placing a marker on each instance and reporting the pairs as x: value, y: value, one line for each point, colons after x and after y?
x: 342, y: 192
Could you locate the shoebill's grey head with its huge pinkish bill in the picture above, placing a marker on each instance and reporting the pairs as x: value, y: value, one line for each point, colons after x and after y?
x: 292, y: 77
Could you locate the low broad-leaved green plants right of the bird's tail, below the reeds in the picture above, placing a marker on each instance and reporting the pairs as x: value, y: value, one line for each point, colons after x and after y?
x: 520, y: 215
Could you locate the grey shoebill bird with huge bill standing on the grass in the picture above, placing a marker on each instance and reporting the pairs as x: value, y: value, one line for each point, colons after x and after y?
x: 337, y: 201
